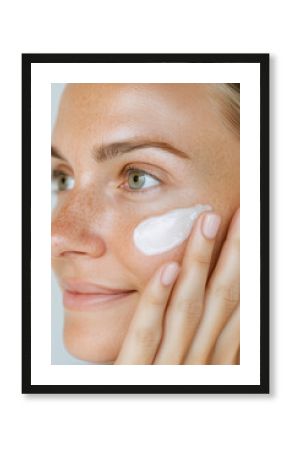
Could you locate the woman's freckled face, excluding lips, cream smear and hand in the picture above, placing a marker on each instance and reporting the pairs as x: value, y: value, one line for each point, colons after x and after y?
x: 177, y: 134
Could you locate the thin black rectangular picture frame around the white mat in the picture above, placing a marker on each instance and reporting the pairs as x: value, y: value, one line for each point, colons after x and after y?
x: 260, y: 58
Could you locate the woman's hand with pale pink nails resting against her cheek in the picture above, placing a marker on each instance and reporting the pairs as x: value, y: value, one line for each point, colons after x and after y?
x: 185, y: 318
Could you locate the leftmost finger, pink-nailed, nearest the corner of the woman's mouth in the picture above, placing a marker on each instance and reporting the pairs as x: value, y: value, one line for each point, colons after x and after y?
x: 145, y: 331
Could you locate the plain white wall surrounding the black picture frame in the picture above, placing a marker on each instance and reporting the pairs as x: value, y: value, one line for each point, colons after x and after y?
x: 201, y: 422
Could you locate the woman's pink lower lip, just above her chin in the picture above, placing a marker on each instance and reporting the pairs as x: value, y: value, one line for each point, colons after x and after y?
x: 80, y: 301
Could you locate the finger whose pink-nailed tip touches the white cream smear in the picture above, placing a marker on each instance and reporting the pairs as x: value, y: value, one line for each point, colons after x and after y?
x: 186, y: 302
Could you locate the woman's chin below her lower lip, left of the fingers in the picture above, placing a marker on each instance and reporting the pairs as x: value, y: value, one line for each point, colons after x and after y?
x: 96, y: 337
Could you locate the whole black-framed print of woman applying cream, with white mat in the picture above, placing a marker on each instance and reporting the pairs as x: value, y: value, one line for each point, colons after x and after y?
x: 146, y: 234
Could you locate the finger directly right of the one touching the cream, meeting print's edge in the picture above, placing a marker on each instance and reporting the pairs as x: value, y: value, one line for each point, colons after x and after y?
x: 222, y: 296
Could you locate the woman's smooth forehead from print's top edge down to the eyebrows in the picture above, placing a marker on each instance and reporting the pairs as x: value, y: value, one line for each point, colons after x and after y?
x: 183, y: 114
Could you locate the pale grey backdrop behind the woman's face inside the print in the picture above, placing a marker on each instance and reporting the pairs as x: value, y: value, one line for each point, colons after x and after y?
x: 59, y: 355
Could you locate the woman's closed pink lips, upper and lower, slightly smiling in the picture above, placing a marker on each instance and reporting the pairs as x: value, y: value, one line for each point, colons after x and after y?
x: 79, y: 295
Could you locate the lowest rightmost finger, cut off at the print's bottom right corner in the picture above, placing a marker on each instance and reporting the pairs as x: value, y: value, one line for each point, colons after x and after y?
x: 228, y: 344
